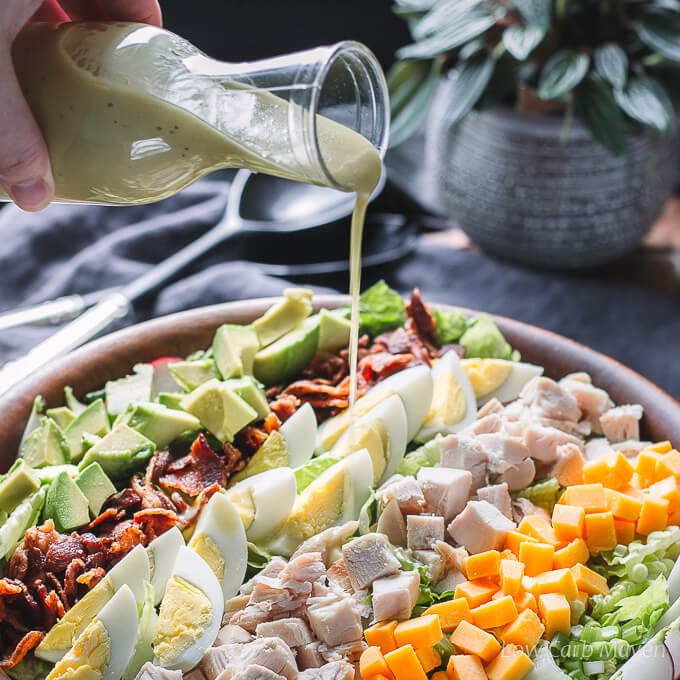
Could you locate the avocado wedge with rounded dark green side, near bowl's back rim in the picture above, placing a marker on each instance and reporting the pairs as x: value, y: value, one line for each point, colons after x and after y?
x: 286, y: 357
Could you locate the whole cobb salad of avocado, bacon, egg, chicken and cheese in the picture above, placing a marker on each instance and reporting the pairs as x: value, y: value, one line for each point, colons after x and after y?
x: 224, y: 515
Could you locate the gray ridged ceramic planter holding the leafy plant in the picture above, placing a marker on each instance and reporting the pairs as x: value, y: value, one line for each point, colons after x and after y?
x: 520, y: 191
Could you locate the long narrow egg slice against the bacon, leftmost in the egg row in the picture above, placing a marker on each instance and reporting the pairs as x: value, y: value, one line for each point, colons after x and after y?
x: 132, y: 571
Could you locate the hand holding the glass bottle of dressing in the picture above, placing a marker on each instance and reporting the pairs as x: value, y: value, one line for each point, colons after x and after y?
x: 25, y: 171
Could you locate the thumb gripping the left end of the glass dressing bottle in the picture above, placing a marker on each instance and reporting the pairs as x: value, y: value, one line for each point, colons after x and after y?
x: 25, y: 171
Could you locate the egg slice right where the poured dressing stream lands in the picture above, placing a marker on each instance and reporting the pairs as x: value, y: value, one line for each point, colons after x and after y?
x: 383, y: 432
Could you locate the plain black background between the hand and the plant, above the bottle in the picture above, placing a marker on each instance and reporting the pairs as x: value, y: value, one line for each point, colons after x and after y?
x: 238, y: 30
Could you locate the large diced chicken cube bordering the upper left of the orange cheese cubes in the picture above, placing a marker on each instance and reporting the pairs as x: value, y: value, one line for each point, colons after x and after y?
x: 480, y: 527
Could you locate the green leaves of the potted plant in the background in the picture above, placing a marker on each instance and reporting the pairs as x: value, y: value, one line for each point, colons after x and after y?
x: 610, y: 63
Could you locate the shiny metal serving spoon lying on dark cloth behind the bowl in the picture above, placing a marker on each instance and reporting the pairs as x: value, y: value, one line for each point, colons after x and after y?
x: 251, y: 207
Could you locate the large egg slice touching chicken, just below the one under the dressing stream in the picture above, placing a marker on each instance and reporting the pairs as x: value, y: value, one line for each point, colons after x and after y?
x: 335, y: 497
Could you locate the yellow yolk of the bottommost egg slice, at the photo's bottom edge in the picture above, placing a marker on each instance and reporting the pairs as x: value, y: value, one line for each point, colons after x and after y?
x: 89, y: 657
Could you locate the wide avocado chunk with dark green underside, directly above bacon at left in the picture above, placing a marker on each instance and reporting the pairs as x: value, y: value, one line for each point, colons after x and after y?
x: 120, y: 453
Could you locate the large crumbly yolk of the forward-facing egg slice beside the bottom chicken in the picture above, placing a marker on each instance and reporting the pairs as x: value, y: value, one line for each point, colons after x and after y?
x: 185, y: 614
